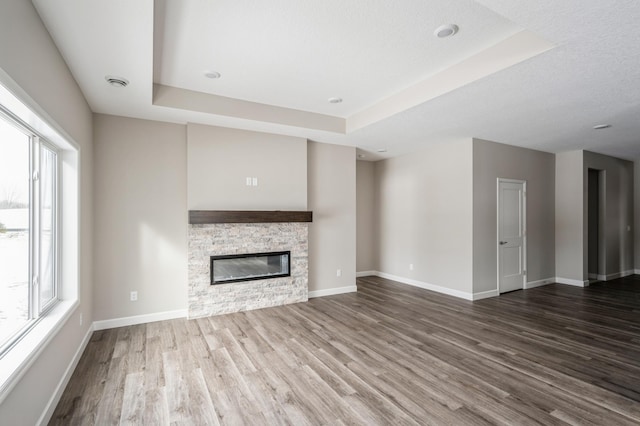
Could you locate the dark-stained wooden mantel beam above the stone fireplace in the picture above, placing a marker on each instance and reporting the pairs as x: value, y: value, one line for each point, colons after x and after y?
x: 248, y: 216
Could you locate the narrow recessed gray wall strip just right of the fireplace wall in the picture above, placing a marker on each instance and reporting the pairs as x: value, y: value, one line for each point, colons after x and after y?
x: 366, y: 232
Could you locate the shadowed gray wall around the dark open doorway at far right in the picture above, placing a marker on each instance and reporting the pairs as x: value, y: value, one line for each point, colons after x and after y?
x: 618, y: 215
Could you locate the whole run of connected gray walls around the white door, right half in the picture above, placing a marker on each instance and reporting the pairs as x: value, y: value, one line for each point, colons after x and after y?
x: 412, y: 218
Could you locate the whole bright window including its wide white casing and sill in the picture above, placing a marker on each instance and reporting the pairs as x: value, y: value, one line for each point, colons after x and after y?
x: 40, y: 265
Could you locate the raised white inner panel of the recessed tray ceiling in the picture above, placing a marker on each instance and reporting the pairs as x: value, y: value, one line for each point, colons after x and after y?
x: 299, y: 53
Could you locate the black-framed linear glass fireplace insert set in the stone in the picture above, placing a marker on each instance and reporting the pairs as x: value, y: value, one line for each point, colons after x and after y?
x: 247, y: 267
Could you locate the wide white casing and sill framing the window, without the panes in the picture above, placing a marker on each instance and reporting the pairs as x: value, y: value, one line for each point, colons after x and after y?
x: 15, y: 362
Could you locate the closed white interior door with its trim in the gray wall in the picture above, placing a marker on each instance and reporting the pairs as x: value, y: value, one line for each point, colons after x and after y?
x: 511, y: 235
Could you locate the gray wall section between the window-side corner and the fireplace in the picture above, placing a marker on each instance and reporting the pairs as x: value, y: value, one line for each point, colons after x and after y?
x: 140, y: 216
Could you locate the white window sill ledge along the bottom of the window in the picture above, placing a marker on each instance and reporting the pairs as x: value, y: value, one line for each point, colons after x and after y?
x: 18, y: 359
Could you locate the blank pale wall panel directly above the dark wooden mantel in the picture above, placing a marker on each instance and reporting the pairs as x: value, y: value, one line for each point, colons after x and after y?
x: 220, y: 160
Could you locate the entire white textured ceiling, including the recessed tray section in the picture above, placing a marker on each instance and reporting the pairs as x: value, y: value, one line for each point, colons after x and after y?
x: 535, y: 74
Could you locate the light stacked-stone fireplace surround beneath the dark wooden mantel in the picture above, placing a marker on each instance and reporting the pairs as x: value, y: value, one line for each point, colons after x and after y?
x: 214, y: 239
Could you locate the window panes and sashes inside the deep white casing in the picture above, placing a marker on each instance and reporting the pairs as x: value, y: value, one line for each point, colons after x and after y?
x: 28, y: 229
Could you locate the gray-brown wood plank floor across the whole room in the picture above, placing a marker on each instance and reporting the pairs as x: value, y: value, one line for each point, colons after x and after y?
x: 389, y: 354
